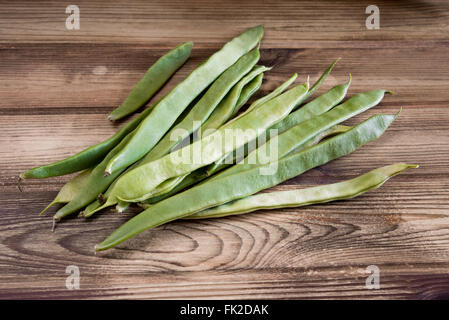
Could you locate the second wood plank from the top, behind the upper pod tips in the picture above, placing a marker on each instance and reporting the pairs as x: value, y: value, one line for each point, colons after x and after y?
x: 69, y: 78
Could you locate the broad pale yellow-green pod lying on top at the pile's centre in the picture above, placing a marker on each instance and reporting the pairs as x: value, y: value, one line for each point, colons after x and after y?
x: 138, y: 184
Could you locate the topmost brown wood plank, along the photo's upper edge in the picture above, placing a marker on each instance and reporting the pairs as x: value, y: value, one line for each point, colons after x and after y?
x: 160, y: 23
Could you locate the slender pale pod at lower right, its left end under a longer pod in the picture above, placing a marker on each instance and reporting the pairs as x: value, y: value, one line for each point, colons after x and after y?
x: 303, y: 197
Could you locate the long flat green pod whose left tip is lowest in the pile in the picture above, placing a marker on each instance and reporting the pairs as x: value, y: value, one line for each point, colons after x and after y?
x: 249, y: 182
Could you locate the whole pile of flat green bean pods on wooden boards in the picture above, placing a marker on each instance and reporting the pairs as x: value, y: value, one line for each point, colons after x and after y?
x: 173, y: 159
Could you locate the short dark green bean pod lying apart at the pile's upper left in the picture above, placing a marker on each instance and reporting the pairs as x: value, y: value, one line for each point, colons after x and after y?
x: 153, y: 80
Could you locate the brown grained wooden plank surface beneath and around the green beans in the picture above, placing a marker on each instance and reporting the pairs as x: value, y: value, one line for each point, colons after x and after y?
x: 57, y: 86
